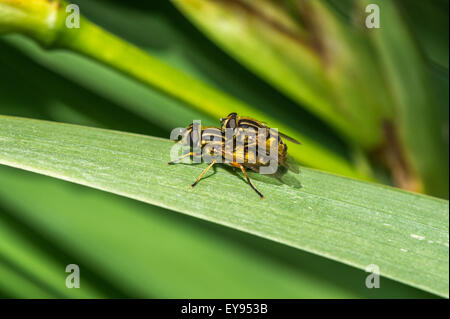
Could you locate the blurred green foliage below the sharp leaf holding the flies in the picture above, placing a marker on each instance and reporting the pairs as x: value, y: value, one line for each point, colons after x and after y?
x: 137, y: 250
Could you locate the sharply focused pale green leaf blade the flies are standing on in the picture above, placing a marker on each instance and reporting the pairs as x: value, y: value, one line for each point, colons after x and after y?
x: 353, y: 222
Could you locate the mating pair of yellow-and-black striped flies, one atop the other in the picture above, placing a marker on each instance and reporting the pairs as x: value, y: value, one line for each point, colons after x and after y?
x: 243, y: 156
